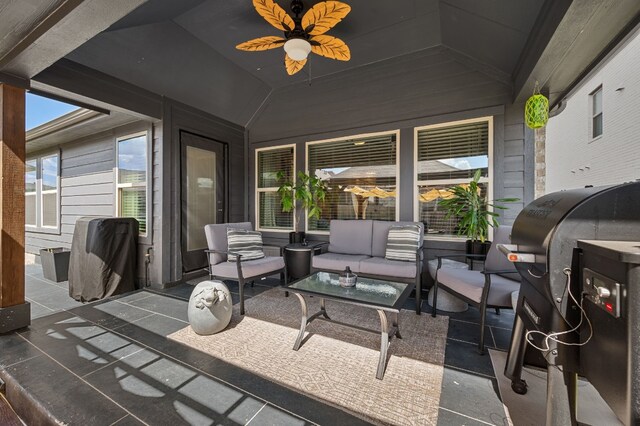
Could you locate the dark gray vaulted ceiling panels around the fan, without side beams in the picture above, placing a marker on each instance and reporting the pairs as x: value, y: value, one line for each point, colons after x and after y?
x: 186, y: 50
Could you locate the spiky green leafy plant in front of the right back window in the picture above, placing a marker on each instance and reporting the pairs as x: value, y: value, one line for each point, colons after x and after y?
x: 473, y: 209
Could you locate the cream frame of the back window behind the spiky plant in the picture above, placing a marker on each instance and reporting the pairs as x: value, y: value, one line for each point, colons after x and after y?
x: 488, y: 180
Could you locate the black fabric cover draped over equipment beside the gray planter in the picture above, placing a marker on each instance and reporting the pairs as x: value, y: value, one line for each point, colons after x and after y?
x: 103, y: 258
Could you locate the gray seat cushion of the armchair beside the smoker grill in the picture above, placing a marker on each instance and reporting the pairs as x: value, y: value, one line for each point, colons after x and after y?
x: 471, y: 283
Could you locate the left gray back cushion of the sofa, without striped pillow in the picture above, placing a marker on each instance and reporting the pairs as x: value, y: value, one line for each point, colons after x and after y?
x: 351, y: 237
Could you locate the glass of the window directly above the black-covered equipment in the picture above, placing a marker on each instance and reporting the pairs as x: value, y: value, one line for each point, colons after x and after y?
x: 132, y: 179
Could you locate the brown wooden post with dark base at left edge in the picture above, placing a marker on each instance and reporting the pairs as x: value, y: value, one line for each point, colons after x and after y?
x: 14, y: 312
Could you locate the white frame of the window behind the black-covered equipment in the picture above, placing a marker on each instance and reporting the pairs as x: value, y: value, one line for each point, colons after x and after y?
x: 145, y: 238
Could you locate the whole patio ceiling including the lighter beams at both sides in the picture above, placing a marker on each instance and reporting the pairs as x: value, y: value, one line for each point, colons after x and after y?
x: 186, y: 49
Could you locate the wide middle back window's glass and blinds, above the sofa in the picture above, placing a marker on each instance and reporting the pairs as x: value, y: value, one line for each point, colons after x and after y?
x: 361, y: 175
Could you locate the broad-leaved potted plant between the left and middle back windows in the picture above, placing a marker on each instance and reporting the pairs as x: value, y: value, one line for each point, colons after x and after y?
x: 305, y: 193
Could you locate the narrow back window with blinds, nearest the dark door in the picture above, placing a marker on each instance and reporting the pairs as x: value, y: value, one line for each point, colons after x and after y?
x: 269, y: 161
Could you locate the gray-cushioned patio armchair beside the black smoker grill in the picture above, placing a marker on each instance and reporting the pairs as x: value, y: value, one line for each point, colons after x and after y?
x: 490, y: 287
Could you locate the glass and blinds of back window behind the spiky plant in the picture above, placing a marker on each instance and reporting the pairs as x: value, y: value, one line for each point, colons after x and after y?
x: 448, y: 155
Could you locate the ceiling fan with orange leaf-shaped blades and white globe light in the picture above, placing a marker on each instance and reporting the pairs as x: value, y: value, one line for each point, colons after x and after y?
x: 302, y: 34
